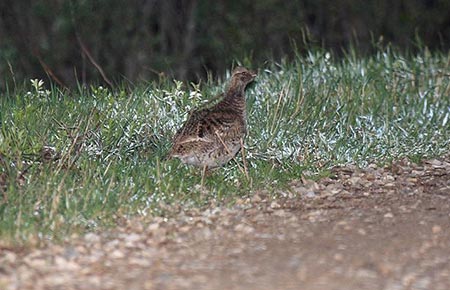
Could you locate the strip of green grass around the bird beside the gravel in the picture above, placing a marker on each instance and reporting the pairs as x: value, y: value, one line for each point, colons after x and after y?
x: 305, y: 116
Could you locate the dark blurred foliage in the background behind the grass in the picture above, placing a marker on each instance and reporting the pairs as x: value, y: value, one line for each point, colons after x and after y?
x: 107, y: 41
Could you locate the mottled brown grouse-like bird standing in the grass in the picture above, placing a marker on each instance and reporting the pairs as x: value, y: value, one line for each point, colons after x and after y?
x: 212, y: 136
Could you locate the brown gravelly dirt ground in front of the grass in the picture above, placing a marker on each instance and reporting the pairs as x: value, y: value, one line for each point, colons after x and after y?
x: 372, y: 228
